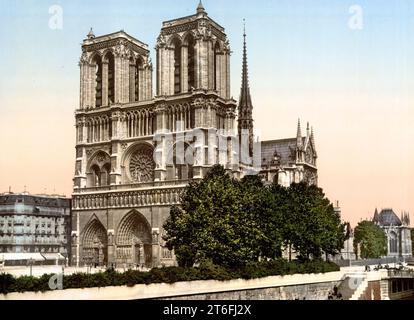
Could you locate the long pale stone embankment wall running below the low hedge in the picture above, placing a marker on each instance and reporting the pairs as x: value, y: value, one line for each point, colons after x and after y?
x: 298, y: 286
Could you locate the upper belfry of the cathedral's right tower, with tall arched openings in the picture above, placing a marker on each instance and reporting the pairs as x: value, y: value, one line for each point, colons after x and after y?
x: 193, y: 53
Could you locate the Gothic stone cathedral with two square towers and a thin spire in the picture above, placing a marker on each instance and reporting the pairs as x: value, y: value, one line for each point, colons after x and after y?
x: 136, y: 151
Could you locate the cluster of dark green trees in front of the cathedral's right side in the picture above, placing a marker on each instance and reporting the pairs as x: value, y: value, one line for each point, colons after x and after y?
x: 233, y: 222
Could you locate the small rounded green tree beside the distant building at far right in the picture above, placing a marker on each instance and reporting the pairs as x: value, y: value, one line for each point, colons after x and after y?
x: 371, y: 240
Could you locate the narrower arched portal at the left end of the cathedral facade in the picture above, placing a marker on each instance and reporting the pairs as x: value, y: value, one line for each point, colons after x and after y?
x: 95, y: 244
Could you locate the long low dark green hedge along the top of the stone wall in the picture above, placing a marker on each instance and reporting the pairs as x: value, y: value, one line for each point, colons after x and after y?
x: 206, y: 271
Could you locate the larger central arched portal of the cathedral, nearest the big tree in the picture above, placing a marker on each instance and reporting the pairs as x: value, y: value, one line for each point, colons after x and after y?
x: 133, y: 240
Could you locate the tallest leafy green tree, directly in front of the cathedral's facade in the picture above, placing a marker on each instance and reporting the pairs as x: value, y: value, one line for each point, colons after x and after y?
x: 215, y: 222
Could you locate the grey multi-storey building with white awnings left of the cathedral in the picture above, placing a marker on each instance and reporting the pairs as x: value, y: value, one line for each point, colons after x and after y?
x: 34, y: 227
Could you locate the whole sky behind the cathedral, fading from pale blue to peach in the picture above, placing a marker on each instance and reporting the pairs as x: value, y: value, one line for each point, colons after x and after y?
x: 347, y: 67
